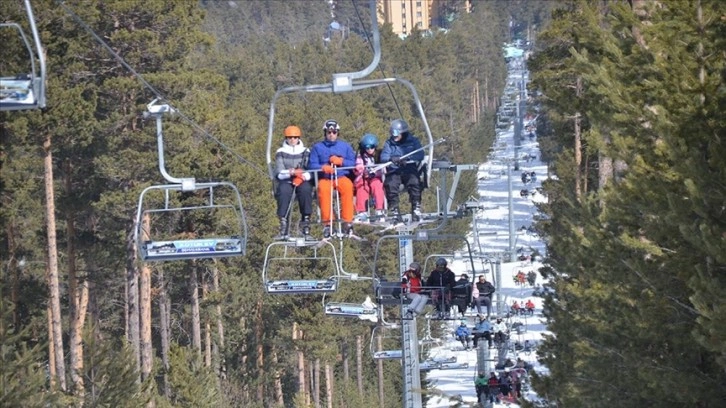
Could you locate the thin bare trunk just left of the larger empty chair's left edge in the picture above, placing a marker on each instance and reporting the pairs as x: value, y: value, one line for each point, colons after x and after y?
x: 132, y: 299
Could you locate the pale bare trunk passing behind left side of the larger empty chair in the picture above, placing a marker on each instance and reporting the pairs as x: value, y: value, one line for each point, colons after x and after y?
x: 147, y: 357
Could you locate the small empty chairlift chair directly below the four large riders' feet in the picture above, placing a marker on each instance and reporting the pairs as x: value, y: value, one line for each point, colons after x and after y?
x: 284, y: 261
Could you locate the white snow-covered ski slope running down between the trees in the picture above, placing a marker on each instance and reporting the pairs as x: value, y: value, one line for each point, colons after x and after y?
x: 449, y: 385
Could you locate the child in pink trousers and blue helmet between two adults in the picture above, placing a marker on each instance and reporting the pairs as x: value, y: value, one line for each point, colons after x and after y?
x: 368, y: 184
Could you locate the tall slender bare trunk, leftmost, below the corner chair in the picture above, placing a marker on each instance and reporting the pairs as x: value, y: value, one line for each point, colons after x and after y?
x: 53, y: 281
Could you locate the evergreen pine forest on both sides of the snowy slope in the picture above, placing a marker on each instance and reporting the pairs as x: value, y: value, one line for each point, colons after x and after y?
x: 627, y: 96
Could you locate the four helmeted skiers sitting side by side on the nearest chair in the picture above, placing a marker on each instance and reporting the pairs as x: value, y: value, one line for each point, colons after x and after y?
x: 363, y: 178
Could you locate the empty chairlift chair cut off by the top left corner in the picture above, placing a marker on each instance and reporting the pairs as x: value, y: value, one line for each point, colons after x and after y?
x: 24, y: 89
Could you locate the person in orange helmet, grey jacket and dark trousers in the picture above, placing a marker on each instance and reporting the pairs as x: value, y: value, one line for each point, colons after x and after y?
x: 290, y: 161
